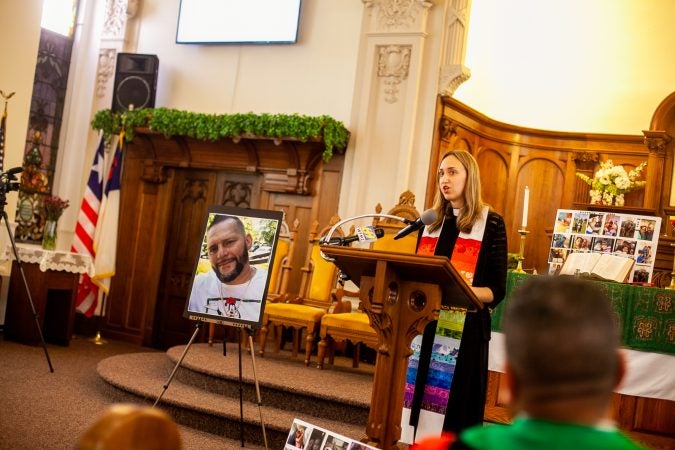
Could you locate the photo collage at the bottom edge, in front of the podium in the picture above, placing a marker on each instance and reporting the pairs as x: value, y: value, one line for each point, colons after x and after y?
x: 304, y: 435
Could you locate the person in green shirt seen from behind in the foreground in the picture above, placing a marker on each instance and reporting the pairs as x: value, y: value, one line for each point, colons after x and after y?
x: 562, y: 365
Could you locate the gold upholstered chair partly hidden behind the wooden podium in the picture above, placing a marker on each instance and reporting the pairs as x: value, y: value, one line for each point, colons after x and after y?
x: 354, y: 326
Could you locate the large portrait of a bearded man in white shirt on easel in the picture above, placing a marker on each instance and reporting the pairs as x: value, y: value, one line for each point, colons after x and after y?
x: 234, y: 265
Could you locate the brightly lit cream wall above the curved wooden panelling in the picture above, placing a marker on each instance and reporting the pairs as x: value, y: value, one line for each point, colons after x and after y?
x: 573, y: 65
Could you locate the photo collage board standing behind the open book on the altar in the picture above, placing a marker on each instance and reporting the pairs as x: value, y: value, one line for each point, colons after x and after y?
x: 623, y: 234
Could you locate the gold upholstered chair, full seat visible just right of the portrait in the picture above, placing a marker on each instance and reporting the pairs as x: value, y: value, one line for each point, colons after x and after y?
x: 304, y: 312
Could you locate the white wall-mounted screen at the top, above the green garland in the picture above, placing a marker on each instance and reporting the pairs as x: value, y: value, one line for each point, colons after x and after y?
x: 238, y: 21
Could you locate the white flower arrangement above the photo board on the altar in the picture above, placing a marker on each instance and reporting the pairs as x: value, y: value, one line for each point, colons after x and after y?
x: 610, y: 183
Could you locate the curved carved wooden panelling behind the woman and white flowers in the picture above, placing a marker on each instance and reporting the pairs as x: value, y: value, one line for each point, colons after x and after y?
x: 512, y: 157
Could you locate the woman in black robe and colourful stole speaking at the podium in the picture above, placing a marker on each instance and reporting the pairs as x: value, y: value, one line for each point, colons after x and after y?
x: 474, y: 238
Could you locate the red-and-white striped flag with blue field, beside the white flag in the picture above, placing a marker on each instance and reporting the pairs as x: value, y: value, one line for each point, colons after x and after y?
x: 83, y: 241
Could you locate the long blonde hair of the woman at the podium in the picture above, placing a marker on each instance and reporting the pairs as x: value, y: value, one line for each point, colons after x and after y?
x: 473, y: 201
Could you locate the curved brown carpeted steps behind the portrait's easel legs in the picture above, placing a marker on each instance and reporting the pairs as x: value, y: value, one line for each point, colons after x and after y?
x: 204, y: 392
